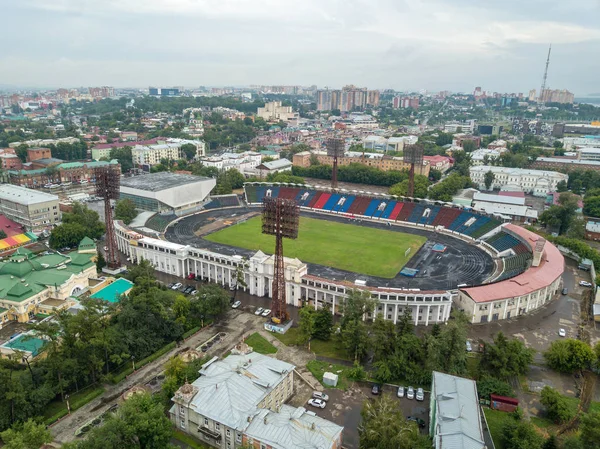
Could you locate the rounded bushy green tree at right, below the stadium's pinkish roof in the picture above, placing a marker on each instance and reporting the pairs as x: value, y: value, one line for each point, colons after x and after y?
x: 505, y: 358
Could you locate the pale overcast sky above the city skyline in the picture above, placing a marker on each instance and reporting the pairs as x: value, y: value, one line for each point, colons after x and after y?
x: 500, y: 45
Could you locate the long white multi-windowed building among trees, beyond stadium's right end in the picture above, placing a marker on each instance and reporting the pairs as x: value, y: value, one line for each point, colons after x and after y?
x: 536, y: 182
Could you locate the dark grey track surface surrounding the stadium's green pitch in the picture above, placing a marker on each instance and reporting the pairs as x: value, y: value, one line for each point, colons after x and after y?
x: 461, y: 263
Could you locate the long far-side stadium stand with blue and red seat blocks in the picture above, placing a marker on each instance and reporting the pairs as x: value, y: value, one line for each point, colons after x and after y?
x: 462, y: 221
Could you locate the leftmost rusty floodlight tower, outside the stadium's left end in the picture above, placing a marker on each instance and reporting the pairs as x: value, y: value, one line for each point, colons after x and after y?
x: 108, y: 181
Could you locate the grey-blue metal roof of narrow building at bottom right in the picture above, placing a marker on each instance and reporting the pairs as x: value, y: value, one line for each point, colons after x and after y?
x: 457, y: 417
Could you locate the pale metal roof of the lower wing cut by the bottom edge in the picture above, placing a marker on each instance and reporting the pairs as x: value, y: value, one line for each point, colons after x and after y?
x: 293, y: 428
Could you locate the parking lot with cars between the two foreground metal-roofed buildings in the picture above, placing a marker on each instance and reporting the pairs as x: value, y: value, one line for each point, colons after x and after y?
x: 344, y: 408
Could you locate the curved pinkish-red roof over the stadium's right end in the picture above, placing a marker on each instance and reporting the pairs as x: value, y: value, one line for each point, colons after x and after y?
x: 550, y: 268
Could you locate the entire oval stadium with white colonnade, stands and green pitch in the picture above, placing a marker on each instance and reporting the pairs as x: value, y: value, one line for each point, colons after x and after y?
x: 408, y: 253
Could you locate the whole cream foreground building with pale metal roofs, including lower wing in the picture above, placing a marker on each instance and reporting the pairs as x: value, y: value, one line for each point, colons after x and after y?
x: 240, y: 401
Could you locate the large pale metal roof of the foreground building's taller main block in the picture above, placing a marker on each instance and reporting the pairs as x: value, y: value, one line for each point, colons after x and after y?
x: 230, y: 390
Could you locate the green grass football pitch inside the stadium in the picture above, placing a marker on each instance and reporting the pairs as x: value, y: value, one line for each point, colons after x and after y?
x: 359, y: 249
